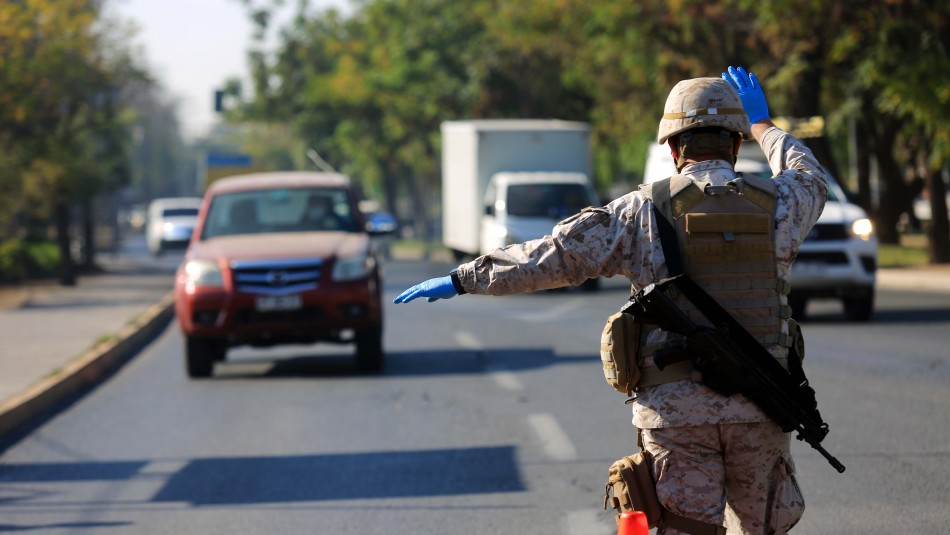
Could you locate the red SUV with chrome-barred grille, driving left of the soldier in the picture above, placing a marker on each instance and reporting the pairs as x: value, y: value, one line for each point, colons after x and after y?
x: 279, y: 258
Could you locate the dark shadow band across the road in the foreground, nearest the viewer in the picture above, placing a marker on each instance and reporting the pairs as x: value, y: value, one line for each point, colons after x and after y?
x: 295, y: 478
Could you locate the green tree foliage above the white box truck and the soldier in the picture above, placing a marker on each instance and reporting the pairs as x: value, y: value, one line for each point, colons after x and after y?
x: 368, y: 91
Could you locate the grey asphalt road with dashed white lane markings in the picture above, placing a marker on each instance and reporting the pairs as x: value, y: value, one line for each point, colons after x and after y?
x: 491, y: 417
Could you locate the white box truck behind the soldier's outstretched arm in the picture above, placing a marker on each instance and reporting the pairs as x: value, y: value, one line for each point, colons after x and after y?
x: 511, y: 180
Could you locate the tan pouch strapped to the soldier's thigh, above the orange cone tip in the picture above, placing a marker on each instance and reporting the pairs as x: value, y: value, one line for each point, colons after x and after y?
x: 630, y: 487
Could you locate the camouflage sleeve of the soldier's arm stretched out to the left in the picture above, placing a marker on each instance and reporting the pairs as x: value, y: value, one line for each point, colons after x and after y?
x: 597, y: 242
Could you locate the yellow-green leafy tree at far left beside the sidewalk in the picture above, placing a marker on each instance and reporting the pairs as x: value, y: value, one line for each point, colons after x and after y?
x: 62, y: 75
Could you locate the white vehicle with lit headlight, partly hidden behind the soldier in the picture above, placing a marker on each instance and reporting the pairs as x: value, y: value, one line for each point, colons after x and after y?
x: 837, y: 260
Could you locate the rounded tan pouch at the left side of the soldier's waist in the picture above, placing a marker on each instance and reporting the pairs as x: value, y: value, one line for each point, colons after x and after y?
x: 619, y: 350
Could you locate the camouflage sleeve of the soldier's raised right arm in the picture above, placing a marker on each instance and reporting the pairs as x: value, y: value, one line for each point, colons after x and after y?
x: 800, y: 188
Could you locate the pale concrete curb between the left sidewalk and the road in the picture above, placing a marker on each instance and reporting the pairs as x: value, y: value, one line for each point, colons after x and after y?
x: 87, y: 369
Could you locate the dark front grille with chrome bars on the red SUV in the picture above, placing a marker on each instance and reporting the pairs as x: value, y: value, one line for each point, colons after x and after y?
x: 276, y: 277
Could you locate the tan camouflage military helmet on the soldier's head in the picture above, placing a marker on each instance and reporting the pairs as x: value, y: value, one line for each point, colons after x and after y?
x: 701, y: 102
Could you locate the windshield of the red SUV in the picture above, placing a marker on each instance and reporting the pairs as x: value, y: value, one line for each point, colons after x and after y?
x: 279, y: 210
